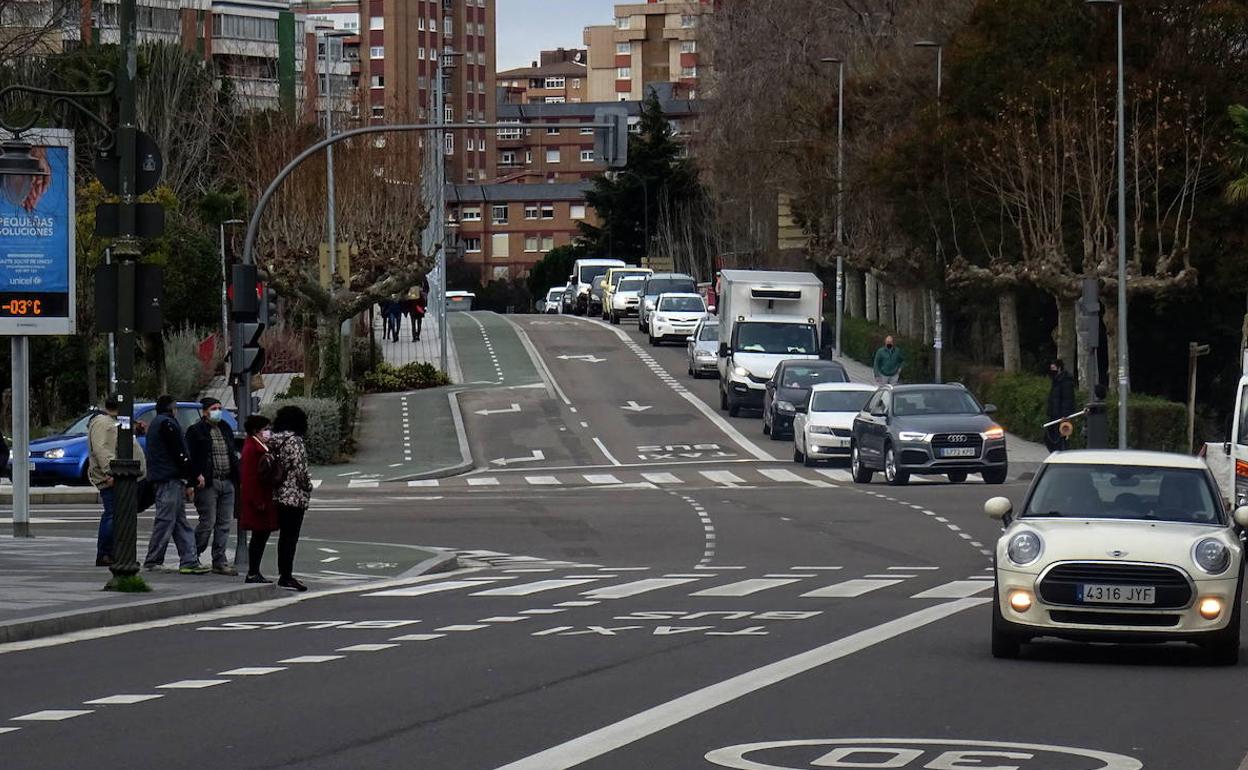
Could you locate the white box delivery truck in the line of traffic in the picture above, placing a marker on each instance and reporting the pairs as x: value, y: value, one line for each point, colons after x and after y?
x: 764, y: 318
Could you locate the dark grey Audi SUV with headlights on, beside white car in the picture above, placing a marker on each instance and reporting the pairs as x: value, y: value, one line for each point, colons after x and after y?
x: 928, y: 429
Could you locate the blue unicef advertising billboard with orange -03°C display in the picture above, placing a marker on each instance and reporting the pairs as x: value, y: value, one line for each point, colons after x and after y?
x: 37, y: 241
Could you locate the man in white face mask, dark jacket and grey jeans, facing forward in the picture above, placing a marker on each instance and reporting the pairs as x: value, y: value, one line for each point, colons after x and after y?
x: 215, y: 461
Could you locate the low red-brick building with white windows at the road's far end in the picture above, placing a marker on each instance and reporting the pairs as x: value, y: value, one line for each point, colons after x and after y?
x: 506, y: 229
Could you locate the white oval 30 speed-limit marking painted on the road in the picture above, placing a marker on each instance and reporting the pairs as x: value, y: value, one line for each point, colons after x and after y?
x: 914, y: 754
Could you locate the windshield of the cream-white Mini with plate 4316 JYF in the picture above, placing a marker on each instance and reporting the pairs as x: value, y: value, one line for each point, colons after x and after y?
x: 1125, y: 492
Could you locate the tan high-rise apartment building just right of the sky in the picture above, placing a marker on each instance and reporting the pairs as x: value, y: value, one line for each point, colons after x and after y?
x: 650, y: 43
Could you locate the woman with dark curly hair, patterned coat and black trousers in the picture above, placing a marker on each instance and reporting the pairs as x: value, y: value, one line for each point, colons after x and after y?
x: 294, y: 492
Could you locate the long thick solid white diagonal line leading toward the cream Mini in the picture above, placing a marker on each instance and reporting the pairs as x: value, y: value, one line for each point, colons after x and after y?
x: 662, y: 717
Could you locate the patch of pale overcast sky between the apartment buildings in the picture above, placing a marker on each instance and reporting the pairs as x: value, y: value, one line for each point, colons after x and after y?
x: 529, y: 27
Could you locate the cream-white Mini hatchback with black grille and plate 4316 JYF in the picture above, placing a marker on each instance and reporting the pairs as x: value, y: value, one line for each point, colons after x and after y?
x: 1120, y: 546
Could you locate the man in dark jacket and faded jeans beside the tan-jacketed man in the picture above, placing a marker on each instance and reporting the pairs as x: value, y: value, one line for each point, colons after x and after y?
x: 169, y: 471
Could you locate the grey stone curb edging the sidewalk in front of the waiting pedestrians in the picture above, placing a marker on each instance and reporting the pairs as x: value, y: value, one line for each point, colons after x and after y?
x: 140, y: 612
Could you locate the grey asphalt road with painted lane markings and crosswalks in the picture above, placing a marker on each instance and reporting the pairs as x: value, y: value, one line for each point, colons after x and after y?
x: 772, y: 622
